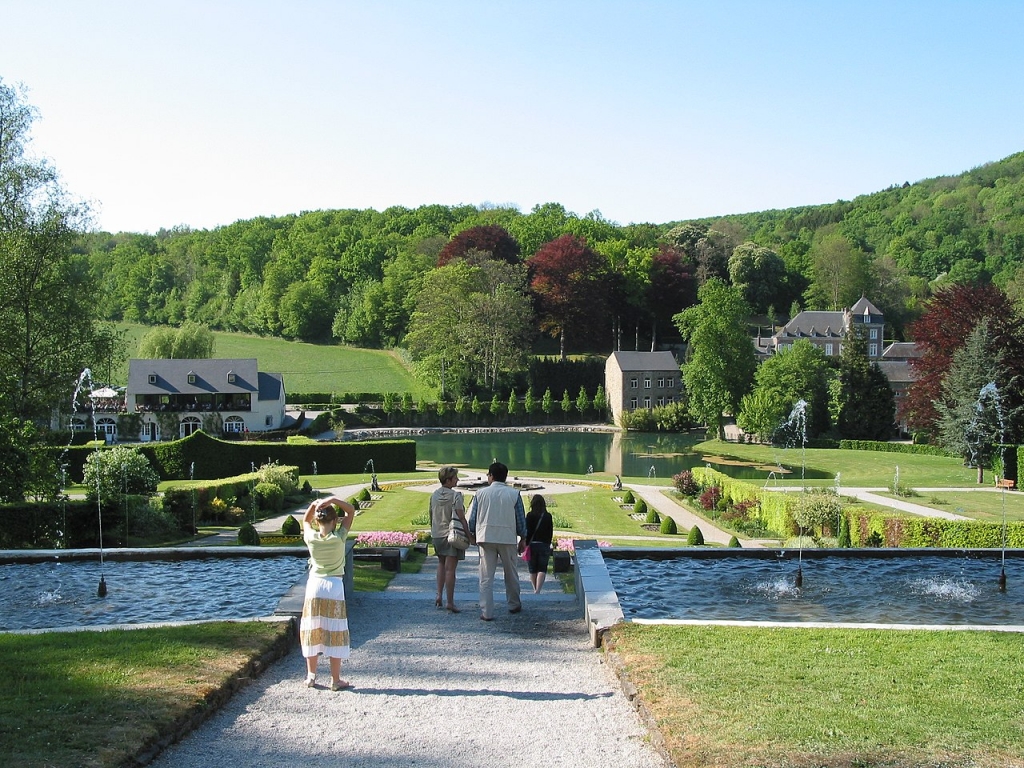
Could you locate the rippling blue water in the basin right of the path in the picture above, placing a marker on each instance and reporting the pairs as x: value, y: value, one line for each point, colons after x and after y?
x: 915, y: 590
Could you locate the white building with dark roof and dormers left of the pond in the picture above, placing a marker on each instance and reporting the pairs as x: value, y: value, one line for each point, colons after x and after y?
x: 177, y: 398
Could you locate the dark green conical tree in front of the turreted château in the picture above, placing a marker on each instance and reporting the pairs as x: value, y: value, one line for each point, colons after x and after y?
x: 864, y: 404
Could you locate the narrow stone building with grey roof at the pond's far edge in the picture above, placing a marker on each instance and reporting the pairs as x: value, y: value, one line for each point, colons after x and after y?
x: 635, y: 380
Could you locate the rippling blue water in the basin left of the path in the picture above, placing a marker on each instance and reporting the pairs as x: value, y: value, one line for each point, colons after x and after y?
x: 64, y: 594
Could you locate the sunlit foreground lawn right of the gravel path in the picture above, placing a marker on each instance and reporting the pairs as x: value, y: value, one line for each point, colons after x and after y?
x: 767, y: 697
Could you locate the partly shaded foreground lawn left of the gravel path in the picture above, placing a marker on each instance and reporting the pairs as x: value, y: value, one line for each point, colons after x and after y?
x: 99, y: 699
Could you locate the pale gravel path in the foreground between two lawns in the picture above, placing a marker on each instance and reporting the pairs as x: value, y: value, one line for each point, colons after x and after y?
x: 434, y: 689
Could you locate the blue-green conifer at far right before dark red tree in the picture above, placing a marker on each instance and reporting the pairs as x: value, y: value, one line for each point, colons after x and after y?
x: 972, y: 420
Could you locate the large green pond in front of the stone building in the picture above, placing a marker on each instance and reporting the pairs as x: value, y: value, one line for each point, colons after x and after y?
x: 628, y: 455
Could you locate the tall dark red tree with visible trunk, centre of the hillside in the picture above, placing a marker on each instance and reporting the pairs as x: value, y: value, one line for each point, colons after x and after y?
x: 569, y: 281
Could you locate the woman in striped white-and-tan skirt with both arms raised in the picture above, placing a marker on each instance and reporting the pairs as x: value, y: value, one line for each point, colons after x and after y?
x: 324, y: 628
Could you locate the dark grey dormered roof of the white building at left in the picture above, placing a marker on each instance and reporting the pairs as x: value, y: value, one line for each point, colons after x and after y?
x: 172, y: 376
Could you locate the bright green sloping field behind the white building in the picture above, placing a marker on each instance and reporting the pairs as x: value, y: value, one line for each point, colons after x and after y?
x: 307, y: 368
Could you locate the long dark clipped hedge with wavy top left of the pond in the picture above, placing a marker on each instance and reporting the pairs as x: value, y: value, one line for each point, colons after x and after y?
x: 215, y: 458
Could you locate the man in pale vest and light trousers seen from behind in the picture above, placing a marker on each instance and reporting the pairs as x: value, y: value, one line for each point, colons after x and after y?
x: 498, y: 525
